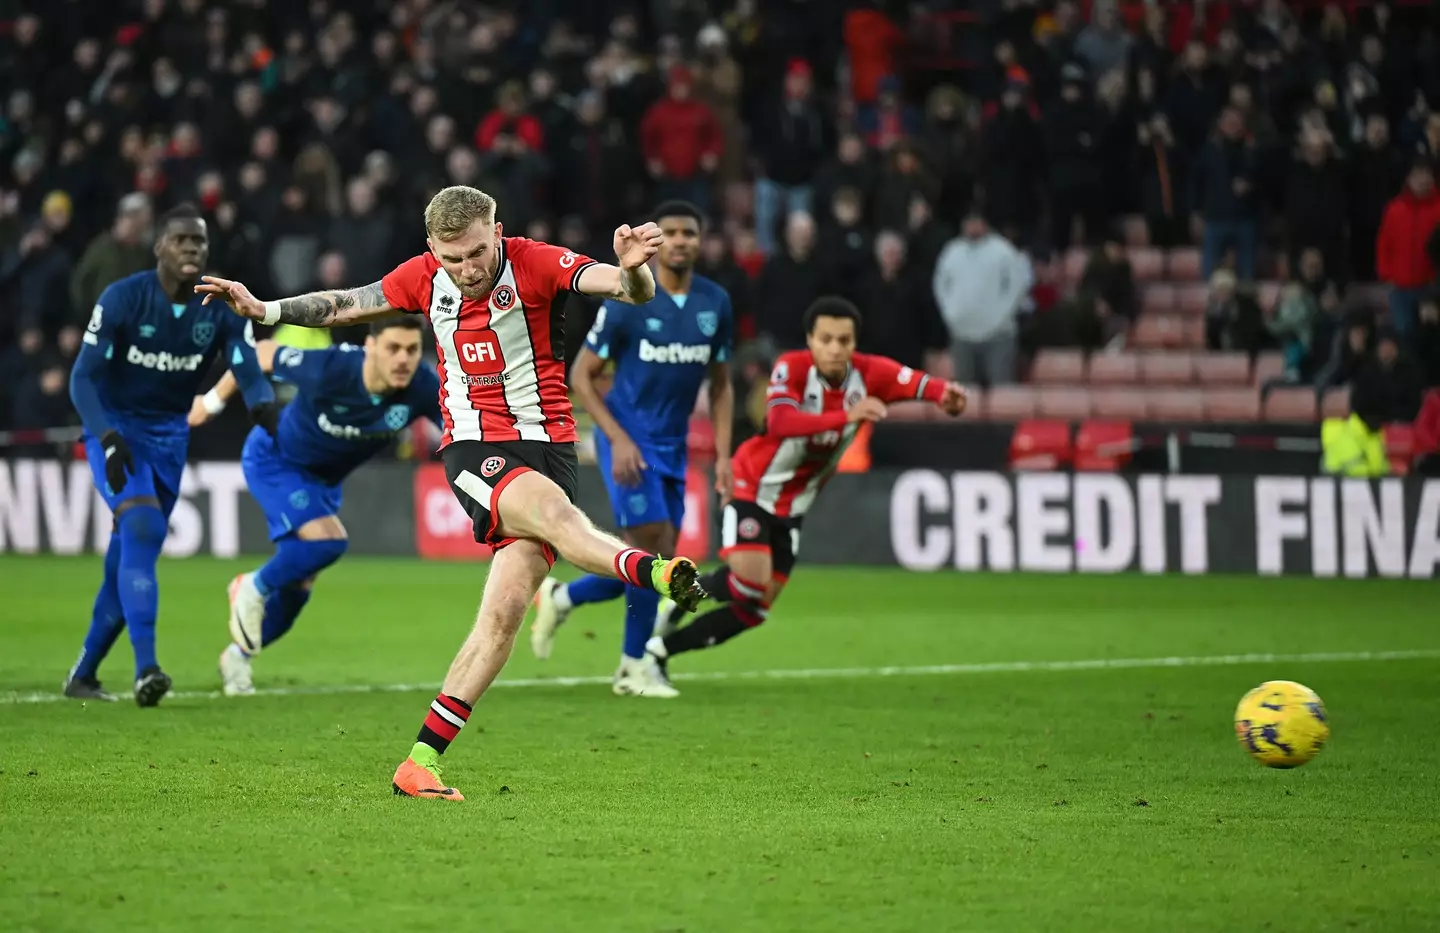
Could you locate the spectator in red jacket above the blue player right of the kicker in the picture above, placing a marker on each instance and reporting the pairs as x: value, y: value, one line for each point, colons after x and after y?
x: 682, y: 140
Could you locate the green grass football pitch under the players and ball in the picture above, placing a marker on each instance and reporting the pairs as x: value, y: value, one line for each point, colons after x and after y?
x: 1063, y: 800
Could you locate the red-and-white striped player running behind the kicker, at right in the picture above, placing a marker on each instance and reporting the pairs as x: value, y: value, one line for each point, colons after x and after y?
x: 817, y: 401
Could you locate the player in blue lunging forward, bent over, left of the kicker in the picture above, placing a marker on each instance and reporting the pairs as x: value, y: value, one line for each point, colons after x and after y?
x: 349, y: 408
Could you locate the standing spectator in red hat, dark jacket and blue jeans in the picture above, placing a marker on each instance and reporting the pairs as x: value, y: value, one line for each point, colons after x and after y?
x: 793, y: 139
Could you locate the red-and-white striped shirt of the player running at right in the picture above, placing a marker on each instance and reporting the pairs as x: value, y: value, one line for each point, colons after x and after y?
x: 807, y: 430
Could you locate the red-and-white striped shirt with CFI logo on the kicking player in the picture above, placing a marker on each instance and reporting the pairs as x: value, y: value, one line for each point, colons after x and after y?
x: 502, y: 358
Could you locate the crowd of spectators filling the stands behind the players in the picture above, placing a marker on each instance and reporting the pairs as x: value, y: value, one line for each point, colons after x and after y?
x: 1287, y: 142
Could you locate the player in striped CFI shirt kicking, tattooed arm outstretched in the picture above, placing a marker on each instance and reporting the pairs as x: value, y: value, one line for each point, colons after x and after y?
x: 496, y: 305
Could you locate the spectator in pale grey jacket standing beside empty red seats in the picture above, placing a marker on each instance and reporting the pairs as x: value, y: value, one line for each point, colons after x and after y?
x: 980, y: 284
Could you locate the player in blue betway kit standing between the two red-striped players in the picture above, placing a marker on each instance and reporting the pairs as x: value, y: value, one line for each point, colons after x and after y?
x: 663, y: 352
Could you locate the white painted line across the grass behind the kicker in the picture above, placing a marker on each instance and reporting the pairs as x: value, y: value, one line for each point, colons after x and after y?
x: 989, y: 667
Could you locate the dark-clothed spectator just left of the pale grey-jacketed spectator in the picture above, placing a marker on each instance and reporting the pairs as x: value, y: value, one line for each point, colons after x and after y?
x: 901, y: 316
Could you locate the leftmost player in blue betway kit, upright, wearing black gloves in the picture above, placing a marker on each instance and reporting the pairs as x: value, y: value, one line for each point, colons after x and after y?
x: 149, y: 345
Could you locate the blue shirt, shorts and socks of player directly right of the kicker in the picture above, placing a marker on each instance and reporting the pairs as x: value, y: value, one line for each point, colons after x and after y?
x: 662, y: 353
